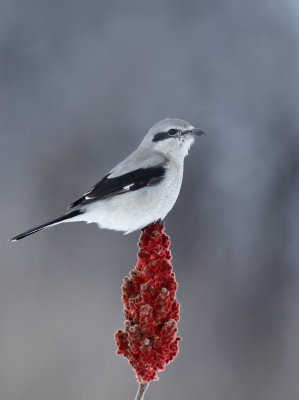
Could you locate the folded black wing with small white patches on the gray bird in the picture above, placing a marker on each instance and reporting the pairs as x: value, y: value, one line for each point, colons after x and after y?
x: 134, y: 180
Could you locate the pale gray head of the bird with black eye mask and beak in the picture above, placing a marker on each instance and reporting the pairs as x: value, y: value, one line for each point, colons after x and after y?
x: 172, y: 137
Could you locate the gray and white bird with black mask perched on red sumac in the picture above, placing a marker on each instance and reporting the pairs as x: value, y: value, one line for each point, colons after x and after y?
x: 141, y: 189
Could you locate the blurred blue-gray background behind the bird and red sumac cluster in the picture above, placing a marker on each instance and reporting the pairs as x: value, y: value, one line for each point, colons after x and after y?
x: 80, y: 84
